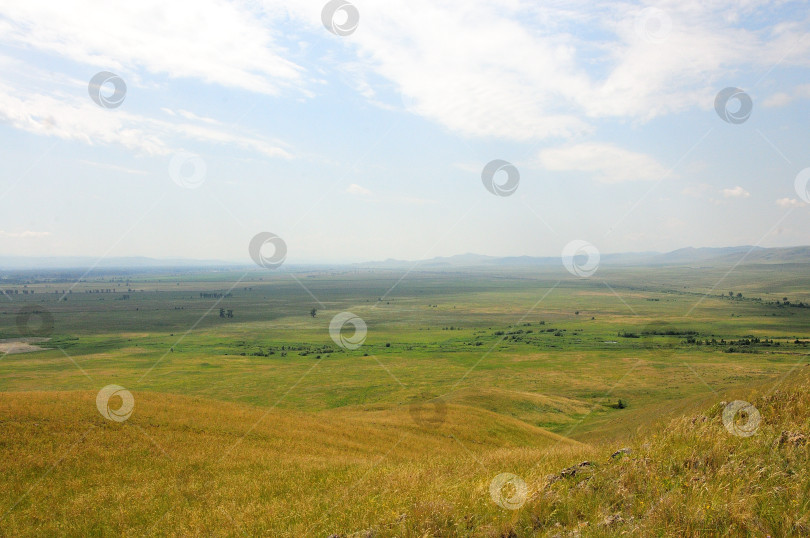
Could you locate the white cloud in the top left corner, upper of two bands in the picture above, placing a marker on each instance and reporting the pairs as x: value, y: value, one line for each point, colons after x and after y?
x: 224, y: 43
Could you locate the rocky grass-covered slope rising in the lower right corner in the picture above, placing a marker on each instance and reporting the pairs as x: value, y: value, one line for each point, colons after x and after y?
x: 692, y: 477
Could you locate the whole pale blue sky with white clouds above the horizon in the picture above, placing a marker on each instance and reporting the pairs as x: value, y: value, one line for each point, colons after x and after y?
x: 360, y: 130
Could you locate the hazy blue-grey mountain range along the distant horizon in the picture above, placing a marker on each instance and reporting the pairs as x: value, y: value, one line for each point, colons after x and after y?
x: 683, y: 256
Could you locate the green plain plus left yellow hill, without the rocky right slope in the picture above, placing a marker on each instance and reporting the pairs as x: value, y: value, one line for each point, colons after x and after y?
x: 260, y: 424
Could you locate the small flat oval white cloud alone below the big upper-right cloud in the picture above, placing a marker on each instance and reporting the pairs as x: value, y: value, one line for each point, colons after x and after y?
x: 605, y: 162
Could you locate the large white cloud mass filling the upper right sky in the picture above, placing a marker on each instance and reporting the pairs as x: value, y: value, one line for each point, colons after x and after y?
x: 521, y: 71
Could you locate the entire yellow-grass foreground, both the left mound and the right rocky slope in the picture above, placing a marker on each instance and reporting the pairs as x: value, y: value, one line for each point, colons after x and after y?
x: 182, y: 466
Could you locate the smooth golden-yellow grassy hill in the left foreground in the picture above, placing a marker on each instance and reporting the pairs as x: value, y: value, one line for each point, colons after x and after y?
x: 188, y: 466
